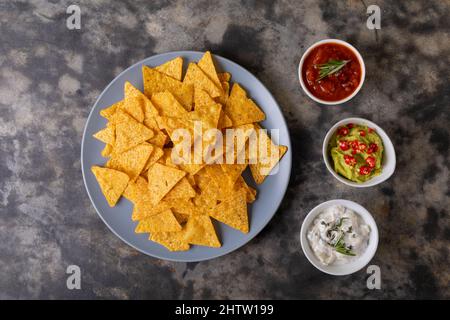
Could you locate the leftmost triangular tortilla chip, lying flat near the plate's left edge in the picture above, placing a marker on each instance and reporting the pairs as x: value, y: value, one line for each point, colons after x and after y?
x: 112, y: 183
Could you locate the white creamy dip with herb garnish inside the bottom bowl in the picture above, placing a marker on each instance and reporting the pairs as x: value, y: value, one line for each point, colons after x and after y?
x: 338, y: 236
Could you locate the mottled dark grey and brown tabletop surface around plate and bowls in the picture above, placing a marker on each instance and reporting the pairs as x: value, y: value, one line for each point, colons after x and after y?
x: 50, y: 77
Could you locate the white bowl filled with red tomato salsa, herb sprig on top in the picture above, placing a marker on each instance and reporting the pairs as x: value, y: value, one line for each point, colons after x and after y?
x: 331, y: 71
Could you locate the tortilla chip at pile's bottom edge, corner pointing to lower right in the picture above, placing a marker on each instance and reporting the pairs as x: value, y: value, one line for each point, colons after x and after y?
x: 200, y: 231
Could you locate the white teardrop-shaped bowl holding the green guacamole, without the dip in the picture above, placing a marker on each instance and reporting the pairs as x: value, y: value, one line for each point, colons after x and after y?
x: 389, y: 159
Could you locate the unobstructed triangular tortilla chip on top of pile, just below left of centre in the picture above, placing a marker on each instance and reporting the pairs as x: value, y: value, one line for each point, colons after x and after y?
x: 161, y: 179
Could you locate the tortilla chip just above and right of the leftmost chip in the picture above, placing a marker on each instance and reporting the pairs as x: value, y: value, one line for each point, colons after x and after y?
x: 132, y: 161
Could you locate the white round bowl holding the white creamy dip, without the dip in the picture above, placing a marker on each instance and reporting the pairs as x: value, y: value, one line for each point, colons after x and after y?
x: 353, y: 266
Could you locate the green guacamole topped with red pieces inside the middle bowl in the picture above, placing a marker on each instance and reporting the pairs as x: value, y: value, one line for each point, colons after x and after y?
x: 357, y: 152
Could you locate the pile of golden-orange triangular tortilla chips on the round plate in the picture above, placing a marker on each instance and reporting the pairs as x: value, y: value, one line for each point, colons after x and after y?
x: 175, y: 203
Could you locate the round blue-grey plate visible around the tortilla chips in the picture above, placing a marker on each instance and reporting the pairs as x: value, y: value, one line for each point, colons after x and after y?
x: 118, y: 219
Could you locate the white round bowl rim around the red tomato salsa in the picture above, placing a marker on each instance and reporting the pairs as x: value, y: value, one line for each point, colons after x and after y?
x: 346, y: 44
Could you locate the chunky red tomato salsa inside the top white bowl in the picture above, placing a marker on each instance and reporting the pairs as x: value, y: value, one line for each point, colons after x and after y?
x: 337, y: 85
